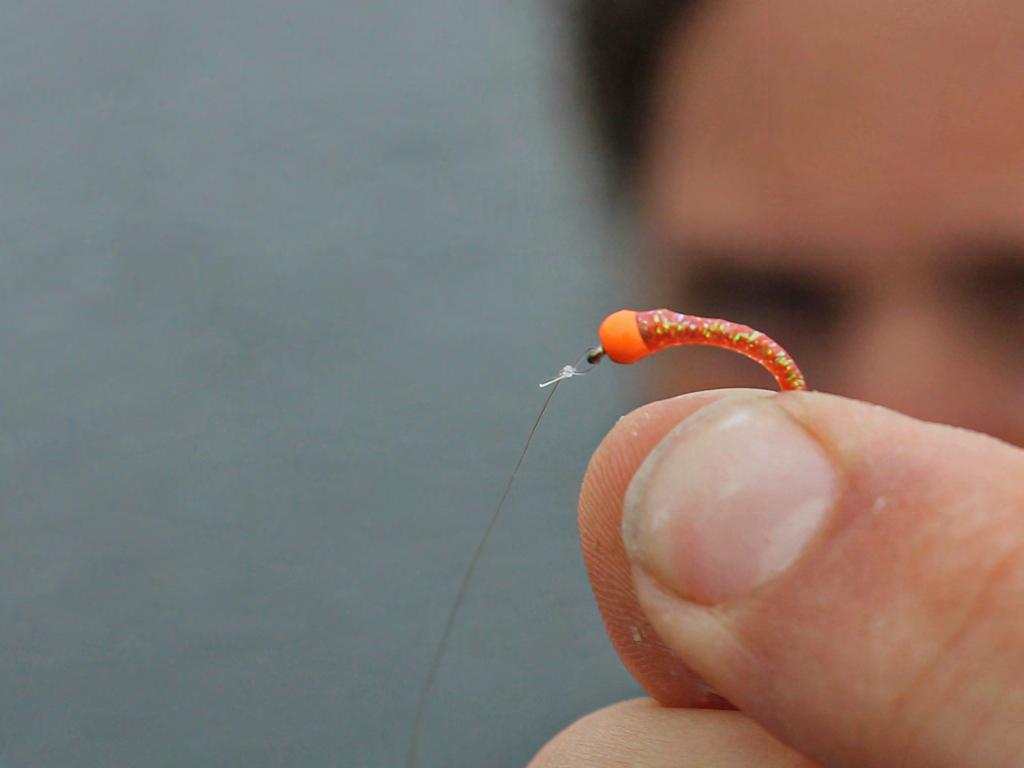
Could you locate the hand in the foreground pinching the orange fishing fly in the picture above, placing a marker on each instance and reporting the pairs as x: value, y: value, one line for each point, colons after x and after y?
x: 850, y: 579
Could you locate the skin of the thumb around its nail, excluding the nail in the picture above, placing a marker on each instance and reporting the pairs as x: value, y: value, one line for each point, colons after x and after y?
x: 898, y: 638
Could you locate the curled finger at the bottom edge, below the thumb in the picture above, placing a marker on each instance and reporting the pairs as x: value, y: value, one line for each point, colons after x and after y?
x: 642, y: 733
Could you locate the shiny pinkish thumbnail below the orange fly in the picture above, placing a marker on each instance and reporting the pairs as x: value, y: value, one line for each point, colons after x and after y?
x: 729, y: 500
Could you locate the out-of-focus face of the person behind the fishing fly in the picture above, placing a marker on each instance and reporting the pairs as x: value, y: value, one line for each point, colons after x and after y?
x: 848, y: 177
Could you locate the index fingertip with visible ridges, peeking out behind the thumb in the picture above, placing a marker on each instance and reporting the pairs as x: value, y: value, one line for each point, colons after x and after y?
x: 656, y: 668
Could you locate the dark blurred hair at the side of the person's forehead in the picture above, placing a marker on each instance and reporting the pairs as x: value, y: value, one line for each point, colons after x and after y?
x: 619, y: 45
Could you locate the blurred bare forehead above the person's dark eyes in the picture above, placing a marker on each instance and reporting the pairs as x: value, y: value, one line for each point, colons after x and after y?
x: 819, y: 121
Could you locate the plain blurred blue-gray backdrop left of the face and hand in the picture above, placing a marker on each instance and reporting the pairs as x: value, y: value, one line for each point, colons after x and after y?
x: 279, y: 282
